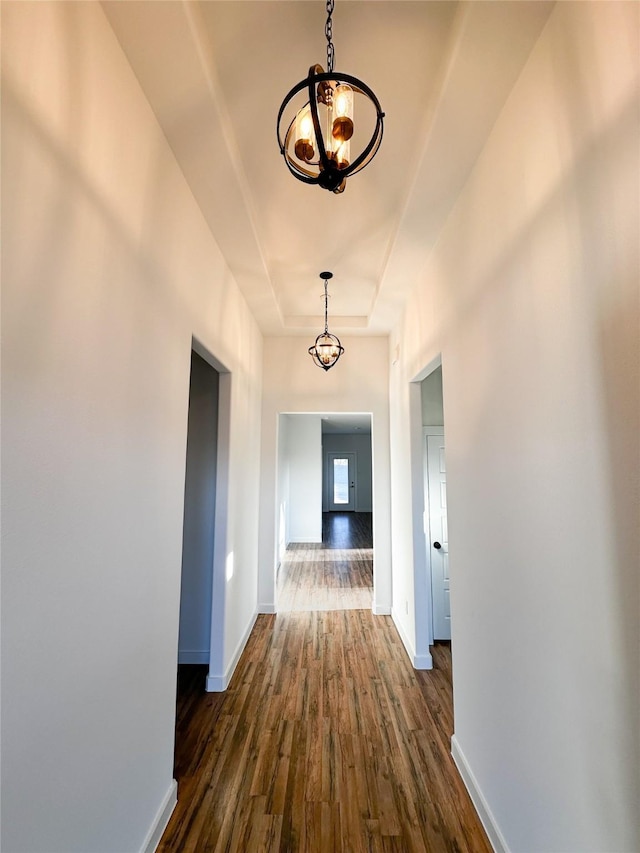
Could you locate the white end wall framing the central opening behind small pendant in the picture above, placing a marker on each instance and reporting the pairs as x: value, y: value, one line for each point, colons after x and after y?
x: 358, y: 383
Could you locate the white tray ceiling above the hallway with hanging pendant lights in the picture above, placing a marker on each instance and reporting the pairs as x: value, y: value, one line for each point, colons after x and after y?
x: 215, y: 74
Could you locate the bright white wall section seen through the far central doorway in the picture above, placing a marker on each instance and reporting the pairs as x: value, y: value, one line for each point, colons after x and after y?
x: 304, y: 451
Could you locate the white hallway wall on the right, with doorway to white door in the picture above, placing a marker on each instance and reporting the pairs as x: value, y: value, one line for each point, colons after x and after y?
x: 531, y: 296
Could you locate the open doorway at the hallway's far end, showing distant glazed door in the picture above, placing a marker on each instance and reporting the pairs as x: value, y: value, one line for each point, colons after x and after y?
x: 324, y: 512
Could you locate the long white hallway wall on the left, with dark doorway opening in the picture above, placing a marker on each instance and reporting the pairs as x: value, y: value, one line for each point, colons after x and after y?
x: 108, y: 271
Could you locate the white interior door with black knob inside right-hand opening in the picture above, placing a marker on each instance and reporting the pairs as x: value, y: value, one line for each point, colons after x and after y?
x: 438, y: 537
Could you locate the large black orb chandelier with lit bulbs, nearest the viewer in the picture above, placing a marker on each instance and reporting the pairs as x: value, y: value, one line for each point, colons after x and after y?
x: 317, y: 143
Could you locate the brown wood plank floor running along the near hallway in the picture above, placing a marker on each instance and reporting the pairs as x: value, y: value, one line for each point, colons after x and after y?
x: 326, y: 740
